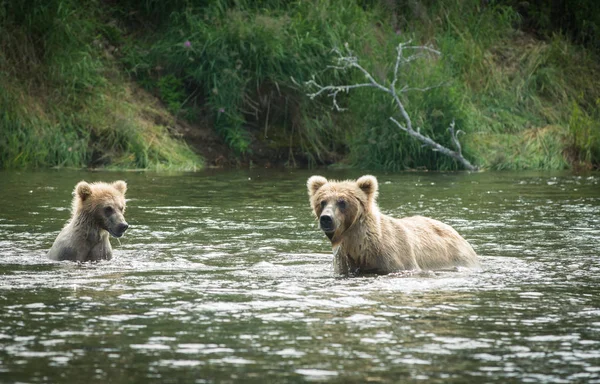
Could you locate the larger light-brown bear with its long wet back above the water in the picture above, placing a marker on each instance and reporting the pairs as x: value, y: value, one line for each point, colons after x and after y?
x: 366, y: 241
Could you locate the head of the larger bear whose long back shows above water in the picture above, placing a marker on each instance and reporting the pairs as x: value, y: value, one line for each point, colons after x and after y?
x: 338, y: 205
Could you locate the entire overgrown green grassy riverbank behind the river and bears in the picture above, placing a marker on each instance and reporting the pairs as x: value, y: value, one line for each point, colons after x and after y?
x: 525, y: 100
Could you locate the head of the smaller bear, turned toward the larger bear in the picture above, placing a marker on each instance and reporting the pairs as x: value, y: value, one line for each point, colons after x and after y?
x: 102, y: 204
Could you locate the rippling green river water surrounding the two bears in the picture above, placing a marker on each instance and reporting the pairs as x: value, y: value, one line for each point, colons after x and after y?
x: 224, y: 276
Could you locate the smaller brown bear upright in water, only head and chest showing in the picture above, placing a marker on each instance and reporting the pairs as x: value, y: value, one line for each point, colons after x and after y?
x: 97, y: 211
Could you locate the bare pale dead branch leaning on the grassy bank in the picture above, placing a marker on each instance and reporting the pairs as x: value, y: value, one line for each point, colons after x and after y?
x: 347, y: 61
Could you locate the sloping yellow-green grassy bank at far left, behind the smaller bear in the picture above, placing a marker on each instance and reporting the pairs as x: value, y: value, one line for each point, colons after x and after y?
x: 66, y: 103
